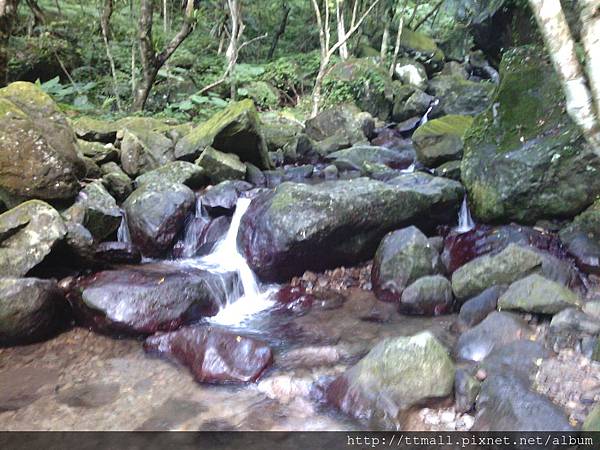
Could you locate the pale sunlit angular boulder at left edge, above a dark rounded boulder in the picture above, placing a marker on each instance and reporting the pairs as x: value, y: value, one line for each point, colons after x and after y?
x: 28, y: 233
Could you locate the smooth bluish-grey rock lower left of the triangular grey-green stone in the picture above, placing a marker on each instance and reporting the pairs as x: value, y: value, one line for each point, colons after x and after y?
x: 495, y: 330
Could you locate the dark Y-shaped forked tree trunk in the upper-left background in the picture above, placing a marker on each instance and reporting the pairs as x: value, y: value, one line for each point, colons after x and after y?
x: 152, y: 62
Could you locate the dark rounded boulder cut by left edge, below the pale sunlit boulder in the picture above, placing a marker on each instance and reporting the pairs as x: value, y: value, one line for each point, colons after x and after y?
x: 29, y: 309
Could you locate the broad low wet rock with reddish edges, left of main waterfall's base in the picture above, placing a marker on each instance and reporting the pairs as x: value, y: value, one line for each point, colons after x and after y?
x: 141, y: 300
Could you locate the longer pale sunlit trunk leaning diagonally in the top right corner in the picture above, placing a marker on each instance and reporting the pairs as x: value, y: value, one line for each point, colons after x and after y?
x: 561, y: 47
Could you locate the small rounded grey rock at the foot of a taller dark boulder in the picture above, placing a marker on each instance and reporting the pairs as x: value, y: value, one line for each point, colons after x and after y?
x: 428, y: 296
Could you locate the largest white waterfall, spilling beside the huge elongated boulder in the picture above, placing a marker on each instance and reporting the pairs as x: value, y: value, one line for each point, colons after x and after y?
x: 226, y: 258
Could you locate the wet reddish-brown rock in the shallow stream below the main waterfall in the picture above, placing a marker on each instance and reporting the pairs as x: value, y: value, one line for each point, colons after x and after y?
x: 213, y: 355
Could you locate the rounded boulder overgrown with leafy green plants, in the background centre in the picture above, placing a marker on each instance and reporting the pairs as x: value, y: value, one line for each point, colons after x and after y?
x: 362, y: 82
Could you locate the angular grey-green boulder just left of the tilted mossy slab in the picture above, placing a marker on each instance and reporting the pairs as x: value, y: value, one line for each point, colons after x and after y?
x: 145, y: 150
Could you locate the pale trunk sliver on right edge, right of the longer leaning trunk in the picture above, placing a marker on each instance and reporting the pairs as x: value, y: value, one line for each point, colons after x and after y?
x: 590, y: 37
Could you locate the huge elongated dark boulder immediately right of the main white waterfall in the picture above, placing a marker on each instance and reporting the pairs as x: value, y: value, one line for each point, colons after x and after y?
x: 298, y: 226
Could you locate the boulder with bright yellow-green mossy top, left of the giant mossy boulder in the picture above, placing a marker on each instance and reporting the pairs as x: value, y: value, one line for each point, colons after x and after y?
x: 441, y: 140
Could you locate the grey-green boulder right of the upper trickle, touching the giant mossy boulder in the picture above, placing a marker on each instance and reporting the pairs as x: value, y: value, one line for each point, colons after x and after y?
x: 461, y: 97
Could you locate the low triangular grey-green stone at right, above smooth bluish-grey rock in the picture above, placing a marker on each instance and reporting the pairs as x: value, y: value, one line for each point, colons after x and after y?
x: 538, y: 295
